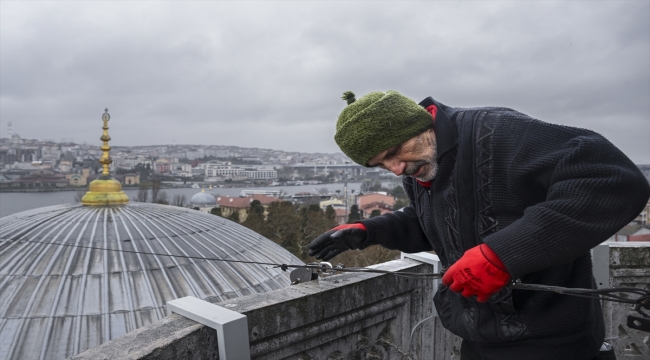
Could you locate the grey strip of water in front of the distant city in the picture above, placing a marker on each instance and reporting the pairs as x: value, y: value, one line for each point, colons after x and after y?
x: 11, y: 203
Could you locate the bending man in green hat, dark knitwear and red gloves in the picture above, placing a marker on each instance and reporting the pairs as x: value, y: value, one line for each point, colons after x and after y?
x: 500, y: 197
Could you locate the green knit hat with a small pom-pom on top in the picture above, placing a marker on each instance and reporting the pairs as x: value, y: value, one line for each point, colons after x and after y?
x: 376, y: 122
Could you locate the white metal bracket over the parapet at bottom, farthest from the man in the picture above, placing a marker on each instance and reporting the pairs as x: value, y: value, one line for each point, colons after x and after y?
x: 231, y: 326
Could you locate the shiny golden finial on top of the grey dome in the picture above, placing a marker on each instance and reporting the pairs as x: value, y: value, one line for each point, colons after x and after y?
x: 105, y: 190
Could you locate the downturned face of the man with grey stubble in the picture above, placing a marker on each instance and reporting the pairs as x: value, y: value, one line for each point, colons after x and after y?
x: 415, y: 157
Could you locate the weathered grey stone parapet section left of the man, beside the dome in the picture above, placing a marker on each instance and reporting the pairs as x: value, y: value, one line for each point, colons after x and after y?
x: 346, y: 316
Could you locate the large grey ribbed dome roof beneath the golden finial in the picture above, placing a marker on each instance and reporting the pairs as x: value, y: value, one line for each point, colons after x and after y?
x: 60, y: 300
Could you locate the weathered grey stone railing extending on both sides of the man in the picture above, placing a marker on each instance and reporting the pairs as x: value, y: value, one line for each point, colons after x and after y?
x: 366, y: 316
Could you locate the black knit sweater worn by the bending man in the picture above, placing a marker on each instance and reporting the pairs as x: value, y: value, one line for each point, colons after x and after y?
x: 553, y: 192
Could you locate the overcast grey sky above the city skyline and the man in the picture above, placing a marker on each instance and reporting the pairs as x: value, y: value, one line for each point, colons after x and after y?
x: 270, y: 74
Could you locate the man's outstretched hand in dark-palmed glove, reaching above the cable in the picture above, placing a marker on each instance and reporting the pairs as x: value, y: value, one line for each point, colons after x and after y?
x: 339, y: 239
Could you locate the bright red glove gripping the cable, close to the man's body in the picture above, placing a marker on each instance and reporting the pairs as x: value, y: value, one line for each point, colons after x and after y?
x: 478, y: 272
